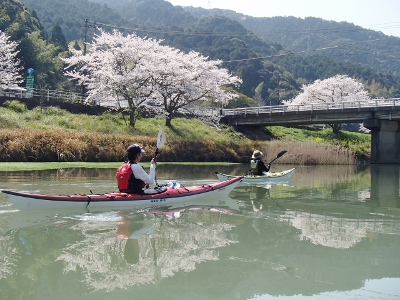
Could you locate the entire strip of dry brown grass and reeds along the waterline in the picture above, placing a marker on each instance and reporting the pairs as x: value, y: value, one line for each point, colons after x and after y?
x: 19, y: 145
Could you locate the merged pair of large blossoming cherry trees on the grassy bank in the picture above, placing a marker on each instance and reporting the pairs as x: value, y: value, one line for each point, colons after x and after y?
x: 142, y: 71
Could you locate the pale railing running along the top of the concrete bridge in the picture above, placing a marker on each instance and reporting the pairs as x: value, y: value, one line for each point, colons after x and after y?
x: 311, y: 107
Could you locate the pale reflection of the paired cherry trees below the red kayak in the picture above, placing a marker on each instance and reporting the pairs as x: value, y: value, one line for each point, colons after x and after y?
x: 177, y: 246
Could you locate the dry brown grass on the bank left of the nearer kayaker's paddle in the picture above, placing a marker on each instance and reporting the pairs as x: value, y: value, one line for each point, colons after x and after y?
x: 57, y: 145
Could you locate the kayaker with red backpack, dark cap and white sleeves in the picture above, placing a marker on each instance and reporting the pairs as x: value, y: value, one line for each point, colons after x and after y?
x: 131, y: 176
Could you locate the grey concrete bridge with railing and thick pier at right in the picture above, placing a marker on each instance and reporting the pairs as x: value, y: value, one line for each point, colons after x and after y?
x: 381, y: 116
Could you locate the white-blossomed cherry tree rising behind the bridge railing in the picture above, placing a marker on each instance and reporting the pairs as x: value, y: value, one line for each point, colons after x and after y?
x: 339, y: 88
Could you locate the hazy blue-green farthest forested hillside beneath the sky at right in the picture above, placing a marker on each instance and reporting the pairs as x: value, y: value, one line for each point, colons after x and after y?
x: 337, y: 40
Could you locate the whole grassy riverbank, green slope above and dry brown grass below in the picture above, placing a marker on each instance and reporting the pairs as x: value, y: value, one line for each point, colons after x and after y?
x: 54, y: 135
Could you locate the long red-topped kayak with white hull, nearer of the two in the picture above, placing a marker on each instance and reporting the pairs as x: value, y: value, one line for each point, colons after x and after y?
x: 166, y: 196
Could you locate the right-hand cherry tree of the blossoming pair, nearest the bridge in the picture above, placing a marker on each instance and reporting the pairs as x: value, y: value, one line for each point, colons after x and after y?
x: 188, y: 80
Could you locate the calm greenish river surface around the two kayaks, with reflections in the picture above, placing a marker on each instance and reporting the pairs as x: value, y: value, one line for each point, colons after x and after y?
x: 332, y: 232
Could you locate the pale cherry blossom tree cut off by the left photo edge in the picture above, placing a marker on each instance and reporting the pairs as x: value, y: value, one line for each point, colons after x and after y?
x: 9, y: 64
